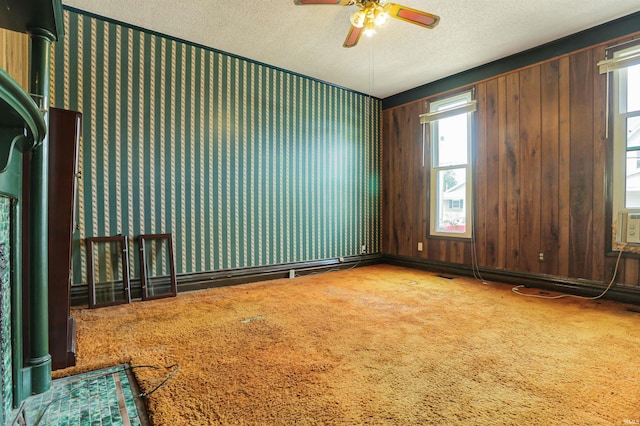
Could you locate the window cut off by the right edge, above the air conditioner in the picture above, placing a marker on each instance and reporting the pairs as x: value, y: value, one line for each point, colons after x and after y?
x: 624, y: 64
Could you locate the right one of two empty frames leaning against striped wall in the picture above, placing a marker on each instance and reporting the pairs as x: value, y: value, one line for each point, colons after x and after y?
x: 157, y: 268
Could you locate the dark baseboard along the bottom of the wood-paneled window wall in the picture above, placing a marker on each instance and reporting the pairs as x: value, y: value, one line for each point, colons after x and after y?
x: 579, y: 287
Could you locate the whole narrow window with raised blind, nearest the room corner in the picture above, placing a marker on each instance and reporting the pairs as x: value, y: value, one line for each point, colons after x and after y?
x: 451, y: 131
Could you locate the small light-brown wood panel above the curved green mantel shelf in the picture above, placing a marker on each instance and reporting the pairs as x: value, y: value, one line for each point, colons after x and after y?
x: 14, y: 54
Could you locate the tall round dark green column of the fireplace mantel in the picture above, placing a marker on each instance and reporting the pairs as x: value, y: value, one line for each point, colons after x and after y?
x: 39, y: 357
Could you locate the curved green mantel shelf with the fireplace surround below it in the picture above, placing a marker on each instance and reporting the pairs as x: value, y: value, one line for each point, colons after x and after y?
x: 21, y: 127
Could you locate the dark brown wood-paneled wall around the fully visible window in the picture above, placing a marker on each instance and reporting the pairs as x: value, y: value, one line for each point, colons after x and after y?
x: 540, y: 170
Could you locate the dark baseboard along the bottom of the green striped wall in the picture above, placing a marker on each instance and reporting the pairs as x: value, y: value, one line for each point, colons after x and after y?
x: 212, y: 279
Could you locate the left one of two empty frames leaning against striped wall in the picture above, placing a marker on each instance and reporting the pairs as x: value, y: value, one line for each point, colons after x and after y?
x: 108, y: 271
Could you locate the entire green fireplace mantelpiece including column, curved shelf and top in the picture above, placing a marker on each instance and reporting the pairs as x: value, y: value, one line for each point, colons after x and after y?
x: 23, y: 131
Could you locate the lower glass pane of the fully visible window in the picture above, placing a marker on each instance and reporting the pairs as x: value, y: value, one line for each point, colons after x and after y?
x: 451, y: 196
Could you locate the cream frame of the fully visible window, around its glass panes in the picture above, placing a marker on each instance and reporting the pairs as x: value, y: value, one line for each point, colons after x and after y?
x: 465, y: 103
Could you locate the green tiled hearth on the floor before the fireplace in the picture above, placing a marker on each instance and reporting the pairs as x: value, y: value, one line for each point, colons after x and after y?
x: 98, y: 398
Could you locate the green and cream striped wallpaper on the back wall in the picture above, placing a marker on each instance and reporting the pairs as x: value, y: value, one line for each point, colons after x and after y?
x: 246, y: 165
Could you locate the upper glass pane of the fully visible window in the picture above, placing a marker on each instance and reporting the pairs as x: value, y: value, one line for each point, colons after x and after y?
x: 451, y: 140
